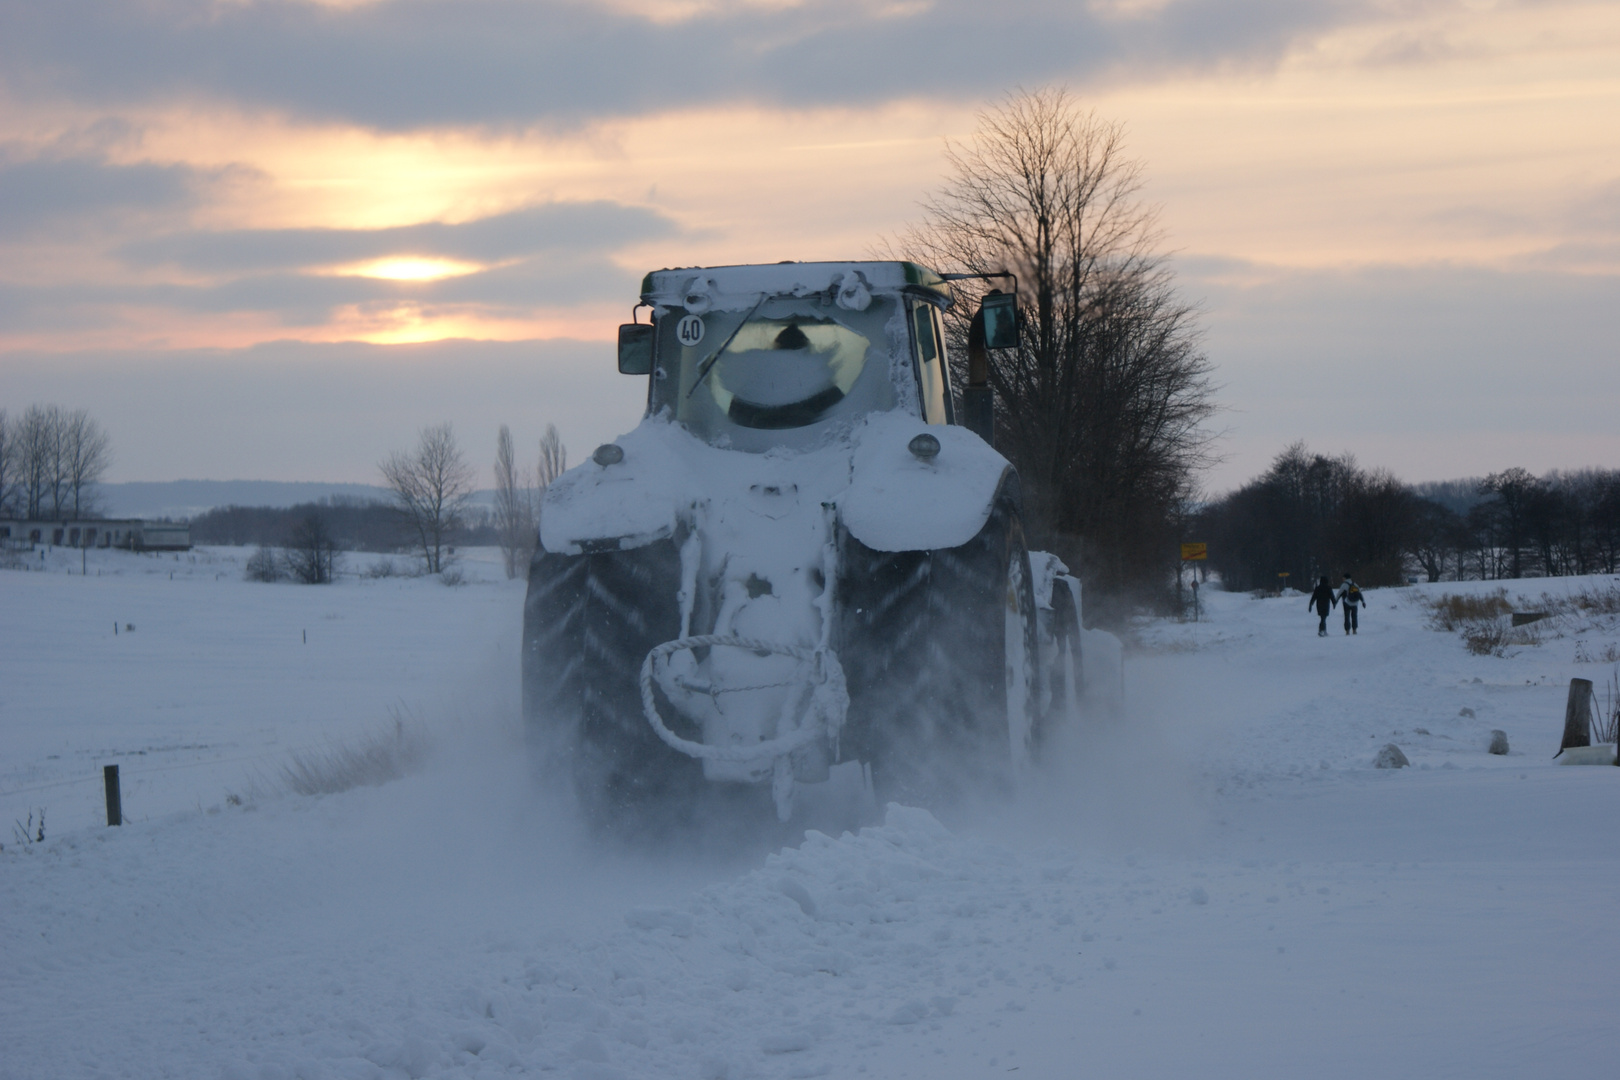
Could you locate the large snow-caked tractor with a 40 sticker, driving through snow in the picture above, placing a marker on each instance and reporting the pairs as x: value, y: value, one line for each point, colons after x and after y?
x: 798, y: 559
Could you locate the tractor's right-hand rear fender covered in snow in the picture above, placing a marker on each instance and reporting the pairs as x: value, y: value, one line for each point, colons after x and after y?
x: 898, y: 501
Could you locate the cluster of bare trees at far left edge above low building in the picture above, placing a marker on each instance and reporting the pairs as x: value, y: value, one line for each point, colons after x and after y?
x: 51, y: 461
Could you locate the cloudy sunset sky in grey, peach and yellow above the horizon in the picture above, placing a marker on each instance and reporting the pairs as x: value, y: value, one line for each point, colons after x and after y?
x: 275, y: 239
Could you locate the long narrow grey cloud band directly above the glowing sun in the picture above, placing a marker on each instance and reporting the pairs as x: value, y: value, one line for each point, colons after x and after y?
x: 600, y: 226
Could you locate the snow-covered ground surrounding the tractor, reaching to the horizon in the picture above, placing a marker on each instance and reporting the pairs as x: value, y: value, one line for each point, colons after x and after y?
x: 1217, y: 885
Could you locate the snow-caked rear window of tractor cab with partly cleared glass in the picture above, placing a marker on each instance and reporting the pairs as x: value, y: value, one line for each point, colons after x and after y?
x: 783, y: 365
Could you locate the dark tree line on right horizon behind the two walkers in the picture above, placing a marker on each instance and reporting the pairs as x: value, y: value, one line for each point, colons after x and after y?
x: 1313, y: 514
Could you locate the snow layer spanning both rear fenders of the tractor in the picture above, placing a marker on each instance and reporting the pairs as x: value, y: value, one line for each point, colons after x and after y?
x: 887, y: 498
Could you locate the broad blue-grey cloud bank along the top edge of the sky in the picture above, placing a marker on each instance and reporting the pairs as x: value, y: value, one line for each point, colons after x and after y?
x: 519, y: 64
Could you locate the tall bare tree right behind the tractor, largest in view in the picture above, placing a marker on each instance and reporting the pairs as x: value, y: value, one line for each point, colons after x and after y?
x: 1102, y: 407
